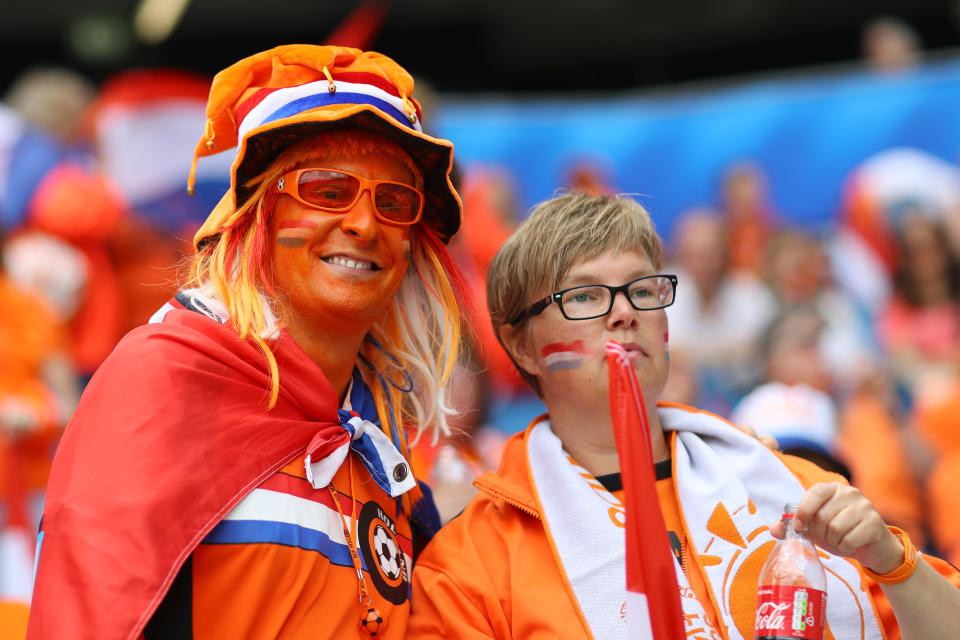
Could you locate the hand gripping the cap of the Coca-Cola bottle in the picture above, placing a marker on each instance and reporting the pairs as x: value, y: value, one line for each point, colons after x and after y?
x: 841, y: 520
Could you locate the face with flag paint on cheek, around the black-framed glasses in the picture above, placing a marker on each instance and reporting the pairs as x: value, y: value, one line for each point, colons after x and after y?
x: 567, y: 356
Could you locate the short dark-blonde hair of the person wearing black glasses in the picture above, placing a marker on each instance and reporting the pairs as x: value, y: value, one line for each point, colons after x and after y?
x: 559, y: 233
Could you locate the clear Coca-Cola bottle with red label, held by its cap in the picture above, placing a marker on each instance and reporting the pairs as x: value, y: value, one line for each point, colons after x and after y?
x: 792, y: 590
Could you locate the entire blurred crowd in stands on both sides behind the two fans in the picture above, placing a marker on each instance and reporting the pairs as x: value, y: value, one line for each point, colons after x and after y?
x: 843, y: 343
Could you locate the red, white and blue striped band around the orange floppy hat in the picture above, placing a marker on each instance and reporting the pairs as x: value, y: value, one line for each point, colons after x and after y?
x: 269, y: 105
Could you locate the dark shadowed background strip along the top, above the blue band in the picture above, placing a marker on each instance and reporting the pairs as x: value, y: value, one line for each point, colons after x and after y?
x: 466, y: 46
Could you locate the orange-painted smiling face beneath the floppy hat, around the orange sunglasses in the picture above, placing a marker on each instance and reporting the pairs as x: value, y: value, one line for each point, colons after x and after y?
x: 338, y: 270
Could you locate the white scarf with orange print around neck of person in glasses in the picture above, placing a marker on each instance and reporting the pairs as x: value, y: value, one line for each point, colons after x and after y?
x: 730, y: 488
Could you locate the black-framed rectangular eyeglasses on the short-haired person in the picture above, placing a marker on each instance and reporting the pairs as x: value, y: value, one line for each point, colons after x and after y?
x: 595, y: 300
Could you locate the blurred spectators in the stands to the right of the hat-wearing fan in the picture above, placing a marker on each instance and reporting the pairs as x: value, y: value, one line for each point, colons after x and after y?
x: 843, y: 343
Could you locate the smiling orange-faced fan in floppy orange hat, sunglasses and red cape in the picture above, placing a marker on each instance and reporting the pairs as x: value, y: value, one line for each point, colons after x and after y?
x: 238, y: 467
